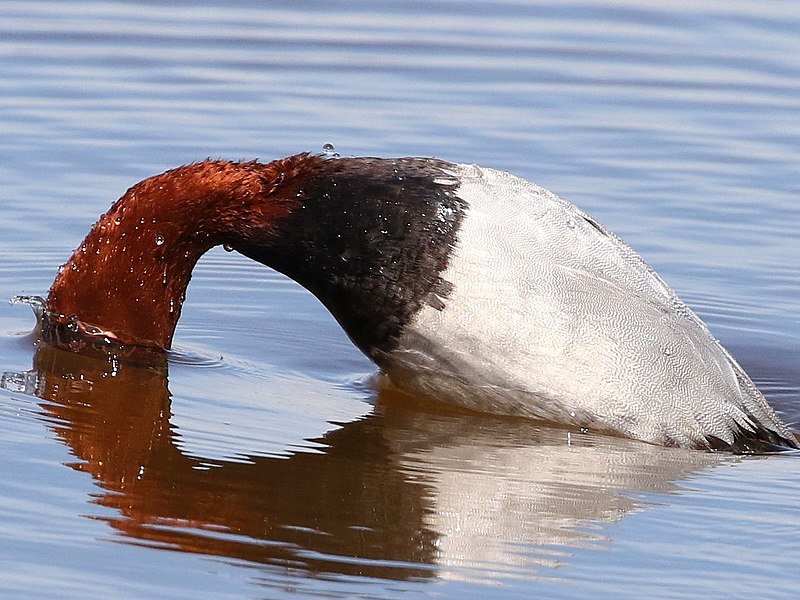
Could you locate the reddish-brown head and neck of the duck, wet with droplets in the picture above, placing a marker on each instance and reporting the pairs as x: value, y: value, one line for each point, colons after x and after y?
x: 128, y: 278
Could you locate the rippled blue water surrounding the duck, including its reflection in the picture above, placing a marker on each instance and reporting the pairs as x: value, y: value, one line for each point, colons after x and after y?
x: 267, y: 463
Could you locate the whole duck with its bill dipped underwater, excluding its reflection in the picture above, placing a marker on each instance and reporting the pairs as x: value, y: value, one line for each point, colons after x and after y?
x: 466, y: 284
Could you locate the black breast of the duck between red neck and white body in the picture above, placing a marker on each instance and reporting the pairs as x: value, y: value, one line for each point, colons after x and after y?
x: 371, y: 240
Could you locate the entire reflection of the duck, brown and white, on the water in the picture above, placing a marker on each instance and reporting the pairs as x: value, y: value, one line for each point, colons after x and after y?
x: 398, y: 494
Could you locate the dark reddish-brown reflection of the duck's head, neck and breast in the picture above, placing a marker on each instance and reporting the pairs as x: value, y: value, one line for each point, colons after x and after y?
x: 115, y: 419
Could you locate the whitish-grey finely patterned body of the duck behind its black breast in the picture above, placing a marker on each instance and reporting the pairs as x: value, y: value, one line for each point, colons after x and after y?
x: 552, y: 316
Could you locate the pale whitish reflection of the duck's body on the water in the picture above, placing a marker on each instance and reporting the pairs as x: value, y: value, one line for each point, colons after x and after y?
x: 508, y: 497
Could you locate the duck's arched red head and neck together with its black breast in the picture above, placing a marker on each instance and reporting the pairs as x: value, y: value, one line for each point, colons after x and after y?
x: 369, y: 237
